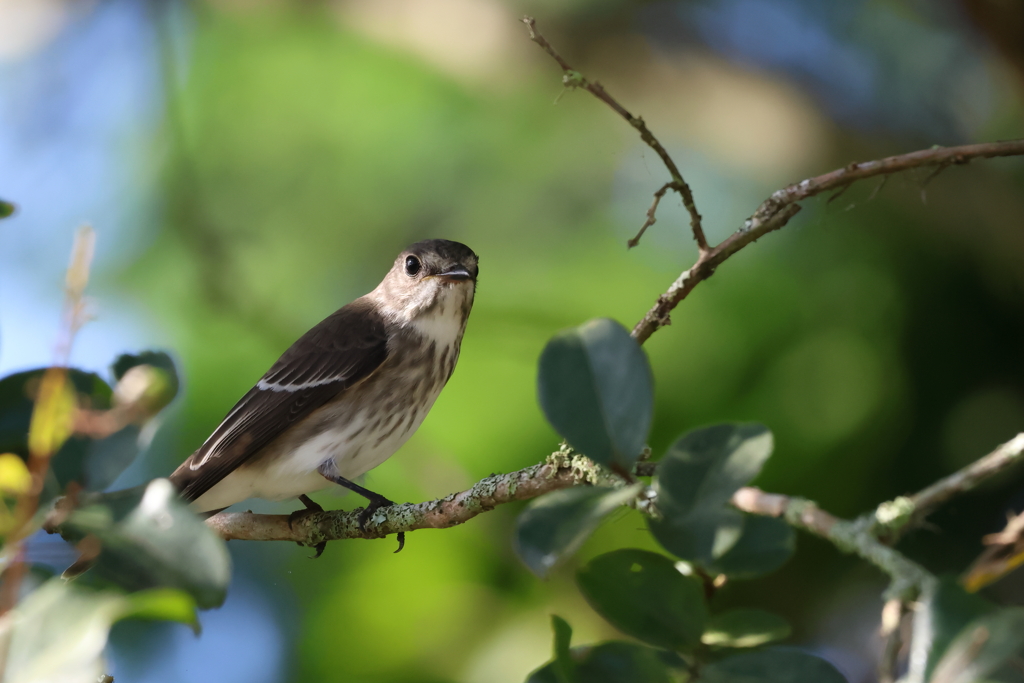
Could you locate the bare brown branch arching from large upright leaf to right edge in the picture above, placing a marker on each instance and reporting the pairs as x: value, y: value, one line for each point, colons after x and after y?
x: 784, y: 205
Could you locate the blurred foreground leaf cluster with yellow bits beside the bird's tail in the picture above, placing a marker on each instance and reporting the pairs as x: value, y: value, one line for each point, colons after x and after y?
x: 66, y: 436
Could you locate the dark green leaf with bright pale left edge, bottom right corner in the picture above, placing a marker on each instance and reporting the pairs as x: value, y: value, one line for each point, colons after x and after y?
x: 945, y: 615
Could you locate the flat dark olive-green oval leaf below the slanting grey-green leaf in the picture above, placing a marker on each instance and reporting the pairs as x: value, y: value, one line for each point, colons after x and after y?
x: 644, y: 595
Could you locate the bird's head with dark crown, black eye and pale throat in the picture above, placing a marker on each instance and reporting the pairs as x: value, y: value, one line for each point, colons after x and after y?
x: 434, y: 277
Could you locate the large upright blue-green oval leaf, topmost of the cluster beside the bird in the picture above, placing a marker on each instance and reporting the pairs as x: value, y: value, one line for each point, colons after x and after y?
x: 596, y: 390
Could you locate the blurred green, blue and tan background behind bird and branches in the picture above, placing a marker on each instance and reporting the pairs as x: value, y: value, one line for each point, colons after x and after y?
x: 252, y: 166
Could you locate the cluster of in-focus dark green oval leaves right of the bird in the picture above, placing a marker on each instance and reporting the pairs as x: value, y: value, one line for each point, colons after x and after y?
x: 596, y: 389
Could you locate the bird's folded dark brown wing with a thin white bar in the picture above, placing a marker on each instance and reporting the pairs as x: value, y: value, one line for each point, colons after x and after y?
x: 344, y: 350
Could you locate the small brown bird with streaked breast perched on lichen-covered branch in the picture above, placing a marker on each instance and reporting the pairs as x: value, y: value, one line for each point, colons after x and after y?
x: 347, y: 396
